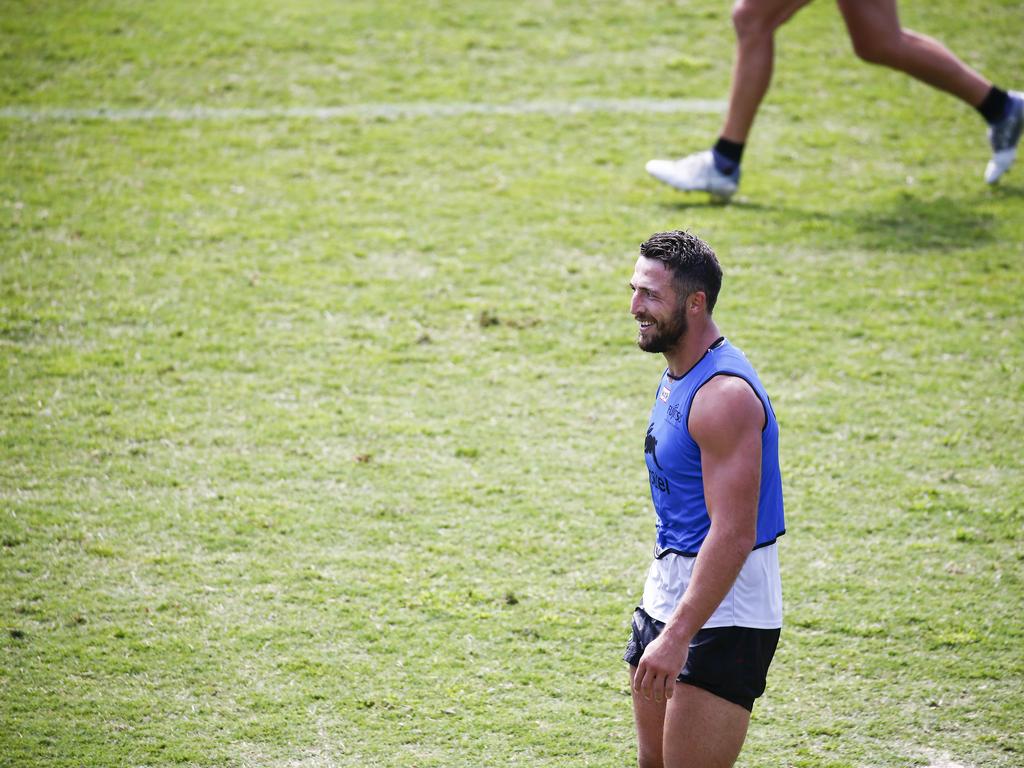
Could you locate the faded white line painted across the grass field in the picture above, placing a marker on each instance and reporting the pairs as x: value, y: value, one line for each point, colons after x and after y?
x: 411, y: 110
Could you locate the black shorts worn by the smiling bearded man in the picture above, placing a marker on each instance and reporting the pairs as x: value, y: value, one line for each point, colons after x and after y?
x: 730, y: 662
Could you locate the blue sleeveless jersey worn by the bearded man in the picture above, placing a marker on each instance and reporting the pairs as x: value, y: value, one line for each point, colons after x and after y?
x: 674, y: 458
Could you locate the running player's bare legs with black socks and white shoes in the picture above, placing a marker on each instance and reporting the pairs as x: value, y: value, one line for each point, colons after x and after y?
x: 878, y: 38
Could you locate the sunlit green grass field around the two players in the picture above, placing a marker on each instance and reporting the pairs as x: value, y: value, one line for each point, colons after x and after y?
x: 322, y: 437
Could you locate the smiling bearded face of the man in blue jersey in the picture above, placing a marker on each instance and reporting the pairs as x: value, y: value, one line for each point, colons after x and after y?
x: 657, y: 307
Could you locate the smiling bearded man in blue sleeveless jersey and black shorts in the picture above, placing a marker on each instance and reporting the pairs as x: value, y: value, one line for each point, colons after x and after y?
x: 707, y: 629
